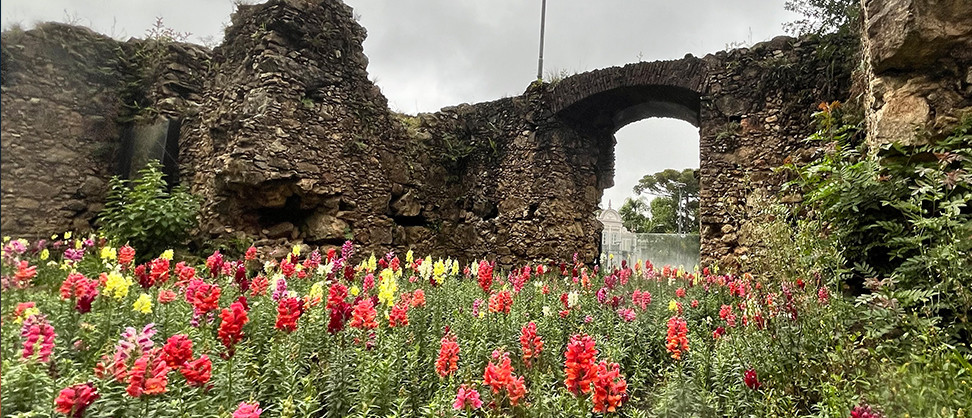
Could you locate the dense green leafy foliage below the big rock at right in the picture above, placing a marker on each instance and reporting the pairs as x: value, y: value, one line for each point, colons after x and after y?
x: 901, y: 216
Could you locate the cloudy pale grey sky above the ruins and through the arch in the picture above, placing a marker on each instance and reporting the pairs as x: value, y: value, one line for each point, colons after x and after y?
x: 427, y: 54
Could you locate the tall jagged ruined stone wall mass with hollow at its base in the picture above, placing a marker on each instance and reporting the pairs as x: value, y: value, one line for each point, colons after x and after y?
x: 294, y: 143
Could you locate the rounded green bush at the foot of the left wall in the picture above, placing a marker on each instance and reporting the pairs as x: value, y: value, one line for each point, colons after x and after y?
x: 147, y: 216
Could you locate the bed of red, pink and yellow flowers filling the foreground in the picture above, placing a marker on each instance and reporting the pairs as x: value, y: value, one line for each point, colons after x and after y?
x: 86, y: 332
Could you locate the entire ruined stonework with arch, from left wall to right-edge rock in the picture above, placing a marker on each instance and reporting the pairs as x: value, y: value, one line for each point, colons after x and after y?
x: 285, y: 139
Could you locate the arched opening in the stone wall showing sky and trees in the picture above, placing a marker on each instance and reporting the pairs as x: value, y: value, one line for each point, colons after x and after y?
x: 652, y: 225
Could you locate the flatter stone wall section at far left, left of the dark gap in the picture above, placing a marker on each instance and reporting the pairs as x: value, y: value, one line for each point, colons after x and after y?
x: 58, y: 102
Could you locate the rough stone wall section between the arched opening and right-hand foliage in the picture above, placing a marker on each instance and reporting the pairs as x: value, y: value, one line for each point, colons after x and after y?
x: 756, y: 114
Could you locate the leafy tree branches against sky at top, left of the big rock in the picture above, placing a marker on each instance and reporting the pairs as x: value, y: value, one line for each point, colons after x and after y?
x: 823, y: 16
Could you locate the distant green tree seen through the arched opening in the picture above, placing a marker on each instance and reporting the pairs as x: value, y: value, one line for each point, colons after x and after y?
x: 676, y: 206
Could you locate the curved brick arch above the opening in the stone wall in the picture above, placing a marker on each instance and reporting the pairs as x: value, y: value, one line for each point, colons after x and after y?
x: 610, y: 98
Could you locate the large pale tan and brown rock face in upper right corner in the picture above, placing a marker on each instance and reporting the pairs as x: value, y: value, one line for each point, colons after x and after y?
x: 919, y: 56
